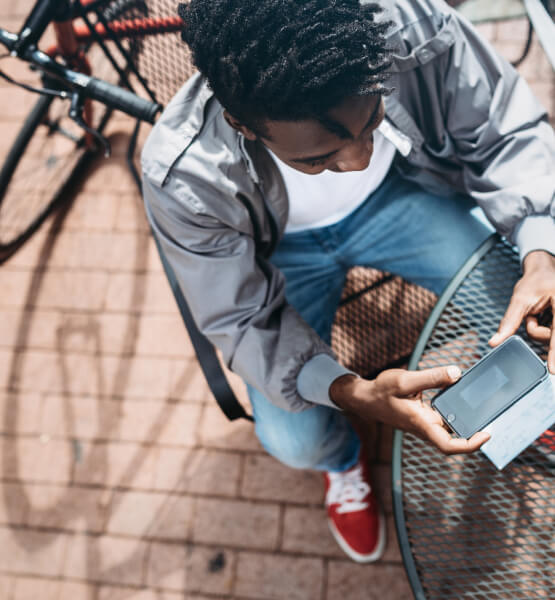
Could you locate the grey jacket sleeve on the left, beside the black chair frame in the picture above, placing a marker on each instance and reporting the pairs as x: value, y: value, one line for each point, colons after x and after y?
x: 238, y: 301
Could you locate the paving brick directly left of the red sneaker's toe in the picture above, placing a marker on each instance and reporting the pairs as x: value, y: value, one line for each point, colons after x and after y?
x: 306, y: 531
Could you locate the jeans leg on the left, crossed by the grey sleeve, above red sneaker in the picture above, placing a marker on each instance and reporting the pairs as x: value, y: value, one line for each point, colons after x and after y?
x: 320, y: 437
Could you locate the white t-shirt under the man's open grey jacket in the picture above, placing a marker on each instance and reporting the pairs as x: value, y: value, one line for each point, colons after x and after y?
x: 323, y: 199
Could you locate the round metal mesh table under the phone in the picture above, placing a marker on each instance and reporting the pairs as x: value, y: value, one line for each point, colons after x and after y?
x: 465, y: 529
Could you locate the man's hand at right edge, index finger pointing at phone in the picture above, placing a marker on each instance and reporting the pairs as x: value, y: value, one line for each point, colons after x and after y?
x: 534, y: 292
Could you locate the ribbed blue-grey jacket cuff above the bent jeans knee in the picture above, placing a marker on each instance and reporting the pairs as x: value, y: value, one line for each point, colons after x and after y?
x: 316, y: 376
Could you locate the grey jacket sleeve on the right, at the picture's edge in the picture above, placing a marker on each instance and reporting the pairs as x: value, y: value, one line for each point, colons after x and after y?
x: 503, y: 139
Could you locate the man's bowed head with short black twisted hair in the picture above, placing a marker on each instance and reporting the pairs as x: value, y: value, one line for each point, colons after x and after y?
x: 306, y: 76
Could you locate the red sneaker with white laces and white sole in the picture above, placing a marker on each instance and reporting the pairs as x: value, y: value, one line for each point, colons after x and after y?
x: 354, y: 515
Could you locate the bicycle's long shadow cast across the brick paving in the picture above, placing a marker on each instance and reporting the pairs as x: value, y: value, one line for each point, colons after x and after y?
x: 88, y: 330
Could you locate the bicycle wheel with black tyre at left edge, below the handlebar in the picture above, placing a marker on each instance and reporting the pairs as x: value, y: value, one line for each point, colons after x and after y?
x: 46, y: 155
